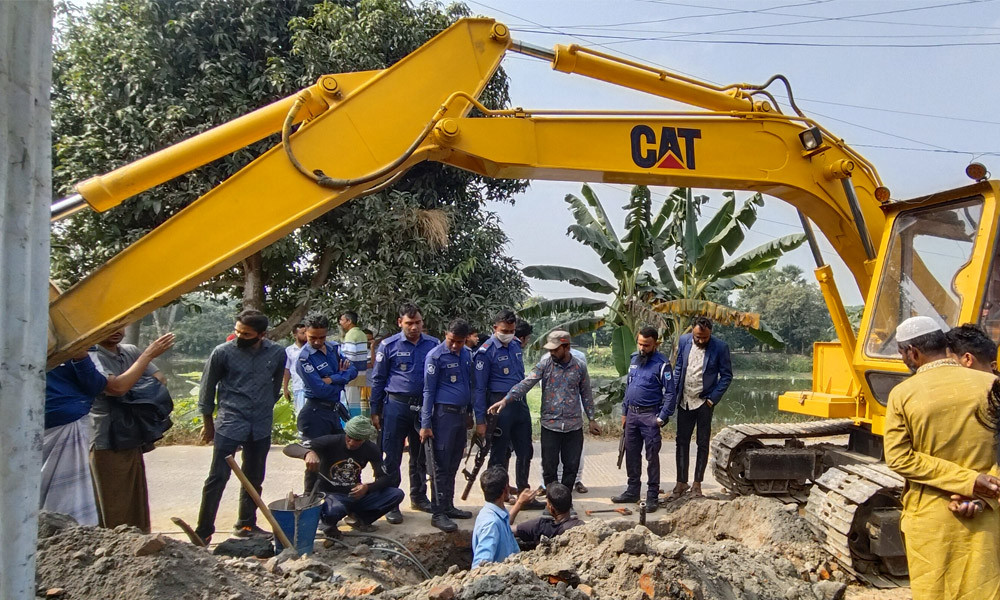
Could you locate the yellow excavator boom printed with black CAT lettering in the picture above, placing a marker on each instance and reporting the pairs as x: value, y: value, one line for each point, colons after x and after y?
x: 707, y: 150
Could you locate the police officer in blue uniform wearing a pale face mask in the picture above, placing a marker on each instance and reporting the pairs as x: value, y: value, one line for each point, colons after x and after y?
x: 499, y: 366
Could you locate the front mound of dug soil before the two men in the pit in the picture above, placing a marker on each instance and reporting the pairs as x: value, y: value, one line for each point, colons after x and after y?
x: 619, y: 560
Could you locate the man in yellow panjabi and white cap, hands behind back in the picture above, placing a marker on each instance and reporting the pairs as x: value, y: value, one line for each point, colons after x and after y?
x: 934, y: 440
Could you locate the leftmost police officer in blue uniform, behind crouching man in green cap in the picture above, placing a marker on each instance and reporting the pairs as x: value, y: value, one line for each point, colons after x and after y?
x: 324, y: 374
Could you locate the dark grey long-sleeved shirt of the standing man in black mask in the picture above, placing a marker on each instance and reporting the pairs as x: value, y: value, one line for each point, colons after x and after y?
x: 248, y: 383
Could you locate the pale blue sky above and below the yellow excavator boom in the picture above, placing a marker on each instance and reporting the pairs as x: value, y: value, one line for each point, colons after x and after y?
x: 910, y: 84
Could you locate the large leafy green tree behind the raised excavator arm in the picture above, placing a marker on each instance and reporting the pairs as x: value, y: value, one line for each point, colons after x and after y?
x: 133, y: 76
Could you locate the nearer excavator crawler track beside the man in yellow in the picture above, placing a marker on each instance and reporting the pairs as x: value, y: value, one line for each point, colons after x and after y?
x: 839, y: 512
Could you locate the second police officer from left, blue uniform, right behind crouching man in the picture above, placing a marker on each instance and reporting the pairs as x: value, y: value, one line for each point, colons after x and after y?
x: 397, y: 381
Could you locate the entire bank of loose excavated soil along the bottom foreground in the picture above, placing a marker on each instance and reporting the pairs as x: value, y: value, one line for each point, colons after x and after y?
x: 747, y: 548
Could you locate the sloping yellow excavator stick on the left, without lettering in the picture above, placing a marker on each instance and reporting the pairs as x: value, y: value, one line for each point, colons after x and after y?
x: 269, y: 198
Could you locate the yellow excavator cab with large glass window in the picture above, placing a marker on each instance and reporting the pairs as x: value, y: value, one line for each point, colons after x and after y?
x: 937, y: 259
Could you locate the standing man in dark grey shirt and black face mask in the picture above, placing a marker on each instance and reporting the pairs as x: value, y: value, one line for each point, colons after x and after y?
x: 246, y: 374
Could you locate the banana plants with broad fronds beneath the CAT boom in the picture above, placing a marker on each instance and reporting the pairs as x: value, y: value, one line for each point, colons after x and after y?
x: 698, y: 272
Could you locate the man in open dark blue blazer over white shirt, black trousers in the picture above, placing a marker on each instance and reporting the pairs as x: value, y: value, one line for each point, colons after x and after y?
x: 702, y: 375
